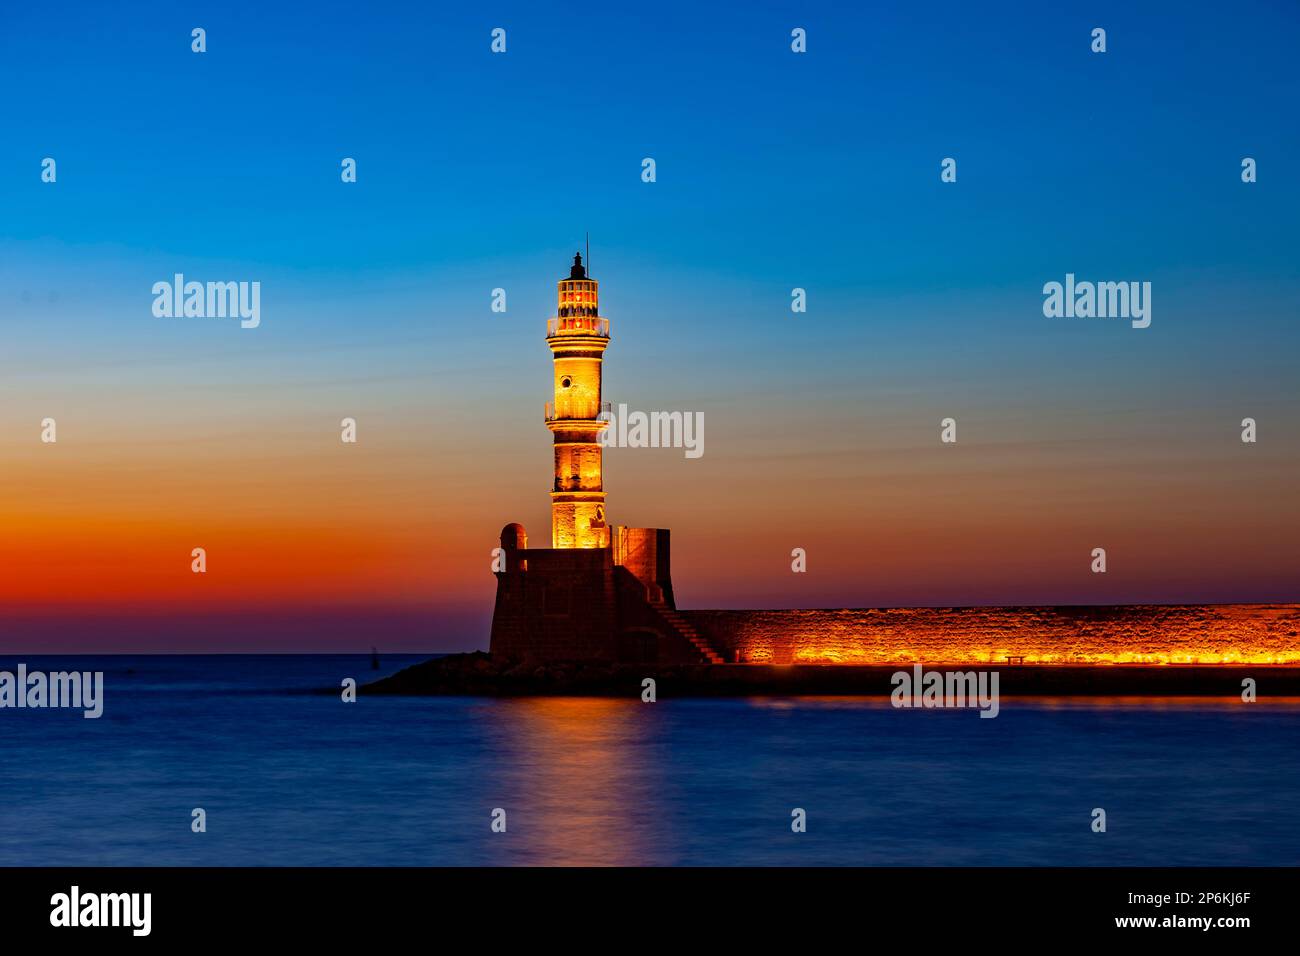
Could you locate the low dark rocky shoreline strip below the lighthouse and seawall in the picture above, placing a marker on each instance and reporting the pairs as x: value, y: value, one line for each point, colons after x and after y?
x: 479, y: 674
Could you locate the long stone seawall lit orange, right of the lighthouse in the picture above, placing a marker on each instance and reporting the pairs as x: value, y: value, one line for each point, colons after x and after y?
x: 1132, y: 634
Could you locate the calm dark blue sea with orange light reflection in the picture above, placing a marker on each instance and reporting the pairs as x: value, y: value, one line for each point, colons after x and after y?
x: 289, y: 777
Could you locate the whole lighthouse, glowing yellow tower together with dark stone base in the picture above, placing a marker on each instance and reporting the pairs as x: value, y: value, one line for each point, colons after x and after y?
x: 599, y: 592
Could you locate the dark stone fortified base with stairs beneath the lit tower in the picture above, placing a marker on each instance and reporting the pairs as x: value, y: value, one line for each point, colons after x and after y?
x: 592, y: 604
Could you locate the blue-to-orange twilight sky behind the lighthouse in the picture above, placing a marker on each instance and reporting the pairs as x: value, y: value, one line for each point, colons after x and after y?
x: 774, y: 171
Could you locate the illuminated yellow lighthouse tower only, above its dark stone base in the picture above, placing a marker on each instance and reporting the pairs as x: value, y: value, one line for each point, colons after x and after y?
x: 578, y: 338
